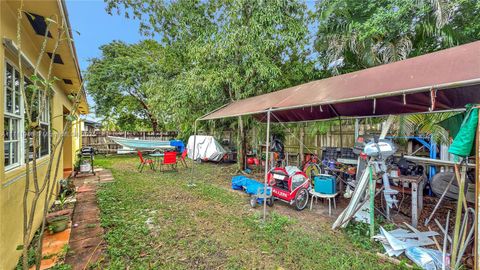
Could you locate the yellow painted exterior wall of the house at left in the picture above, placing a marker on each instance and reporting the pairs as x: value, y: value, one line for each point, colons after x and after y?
x: 12, y: 182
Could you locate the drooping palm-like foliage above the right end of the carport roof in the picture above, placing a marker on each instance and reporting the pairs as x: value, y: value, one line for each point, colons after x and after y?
x: 353, y: 35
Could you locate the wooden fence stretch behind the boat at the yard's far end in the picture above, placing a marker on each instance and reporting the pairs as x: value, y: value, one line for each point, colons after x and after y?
x: 100, y: 141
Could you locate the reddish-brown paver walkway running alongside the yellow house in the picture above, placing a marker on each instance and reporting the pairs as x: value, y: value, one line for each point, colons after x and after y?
x: 86, y: 240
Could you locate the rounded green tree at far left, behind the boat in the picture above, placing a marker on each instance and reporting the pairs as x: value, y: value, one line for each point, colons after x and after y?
x: 119, y: 80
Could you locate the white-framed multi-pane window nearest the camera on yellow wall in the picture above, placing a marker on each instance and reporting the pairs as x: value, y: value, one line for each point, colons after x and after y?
x: 13, y: 118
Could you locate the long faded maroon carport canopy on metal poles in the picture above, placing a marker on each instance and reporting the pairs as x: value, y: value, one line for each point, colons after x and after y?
x: 444, y: 80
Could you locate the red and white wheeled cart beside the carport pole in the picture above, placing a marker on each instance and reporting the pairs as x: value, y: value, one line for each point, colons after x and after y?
x: 289, y: 185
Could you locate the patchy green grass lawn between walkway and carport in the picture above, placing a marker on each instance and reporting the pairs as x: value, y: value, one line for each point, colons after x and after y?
x: 153, y: 220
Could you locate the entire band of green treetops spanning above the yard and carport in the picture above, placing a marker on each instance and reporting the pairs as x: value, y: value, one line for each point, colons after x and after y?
x: 208, y: 53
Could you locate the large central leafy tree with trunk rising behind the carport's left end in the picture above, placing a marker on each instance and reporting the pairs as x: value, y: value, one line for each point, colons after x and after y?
x: 229, y: 50
